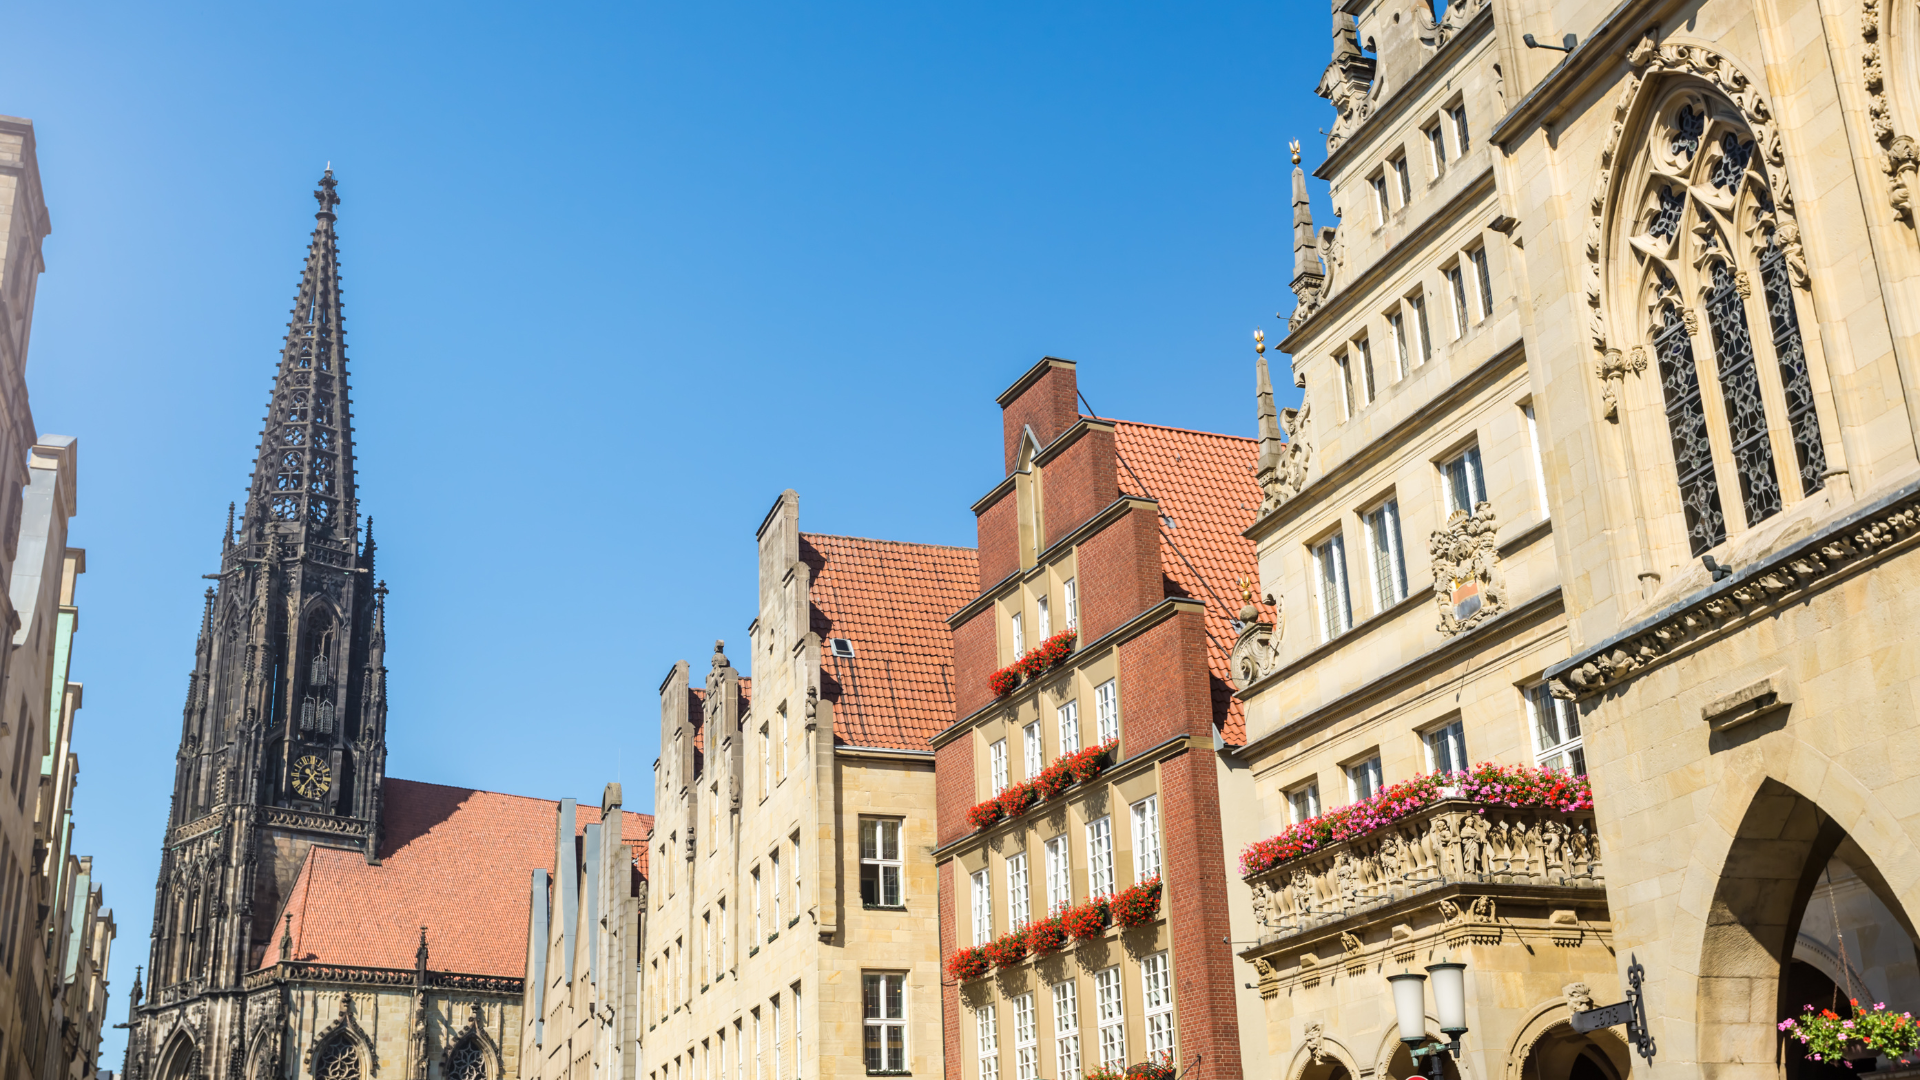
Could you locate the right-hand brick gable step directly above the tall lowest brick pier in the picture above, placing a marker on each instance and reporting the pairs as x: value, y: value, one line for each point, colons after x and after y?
x: 1164, y: 685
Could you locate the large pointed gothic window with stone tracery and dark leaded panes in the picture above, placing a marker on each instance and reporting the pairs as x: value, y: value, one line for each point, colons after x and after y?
x: 1702, y: 226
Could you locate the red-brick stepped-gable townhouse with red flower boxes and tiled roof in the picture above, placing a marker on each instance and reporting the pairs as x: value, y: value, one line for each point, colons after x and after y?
x: 1082, y: 873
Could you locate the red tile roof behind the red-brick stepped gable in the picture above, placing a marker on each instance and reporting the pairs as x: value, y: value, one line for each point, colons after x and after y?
x: 1209, y: 497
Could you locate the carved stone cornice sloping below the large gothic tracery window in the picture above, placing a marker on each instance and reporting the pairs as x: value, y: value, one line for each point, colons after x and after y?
x: 1825, y: 558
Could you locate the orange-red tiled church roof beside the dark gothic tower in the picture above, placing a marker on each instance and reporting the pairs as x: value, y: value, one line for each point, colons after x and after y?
x: 456, y: 862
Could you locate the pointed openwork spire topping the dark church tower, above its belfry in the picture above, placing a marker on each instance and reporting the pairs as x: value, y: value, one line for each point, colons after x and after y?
x: 304, y: 476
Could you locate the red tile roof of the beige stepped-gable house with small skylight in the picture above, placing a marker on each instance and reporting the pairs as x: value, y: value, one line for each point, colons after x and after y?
x: 892, y: 602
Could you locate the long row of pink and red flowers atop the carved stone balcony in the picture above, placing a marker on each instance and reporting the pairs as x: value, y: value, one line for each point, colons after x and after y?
x: 1489, y: 783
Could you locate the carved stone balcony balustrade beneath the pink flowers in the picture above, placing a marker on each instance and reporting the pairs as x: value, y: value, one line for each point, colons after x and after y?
x: 1449, y: 843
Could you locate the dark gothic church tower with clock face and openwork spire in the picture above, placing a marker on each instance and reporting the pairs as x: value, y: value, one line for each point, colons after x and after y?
x: 283, y: 741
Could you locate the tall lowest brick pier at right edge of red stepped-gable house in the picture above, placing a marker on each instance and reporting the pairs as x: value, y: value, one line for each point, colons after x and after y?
x: 1197, y: 918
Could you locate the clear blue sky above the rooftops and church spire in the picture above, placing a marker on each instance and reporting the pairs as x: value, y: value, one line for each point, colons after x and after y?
x: 615, y: 278
